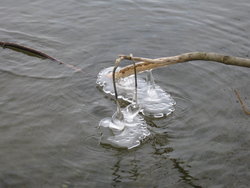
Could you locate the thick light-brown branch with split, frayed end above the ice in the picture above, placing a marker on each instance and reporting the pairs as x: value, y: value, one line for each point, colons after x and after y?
x: 147, y: 64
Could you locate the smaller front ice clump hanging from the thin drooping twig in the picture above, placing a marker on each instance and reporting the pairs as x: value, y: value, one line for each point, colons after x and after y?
x: 126, y: 129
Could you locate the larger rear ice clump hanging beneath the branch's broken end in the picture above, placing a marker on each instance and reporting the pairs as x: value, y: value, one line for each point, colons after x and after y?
x: 153, y: 100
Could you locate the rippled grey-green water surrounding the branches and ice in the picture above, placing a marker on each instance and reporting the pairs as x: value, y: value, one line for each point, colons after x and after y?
x: 49, y: 114
